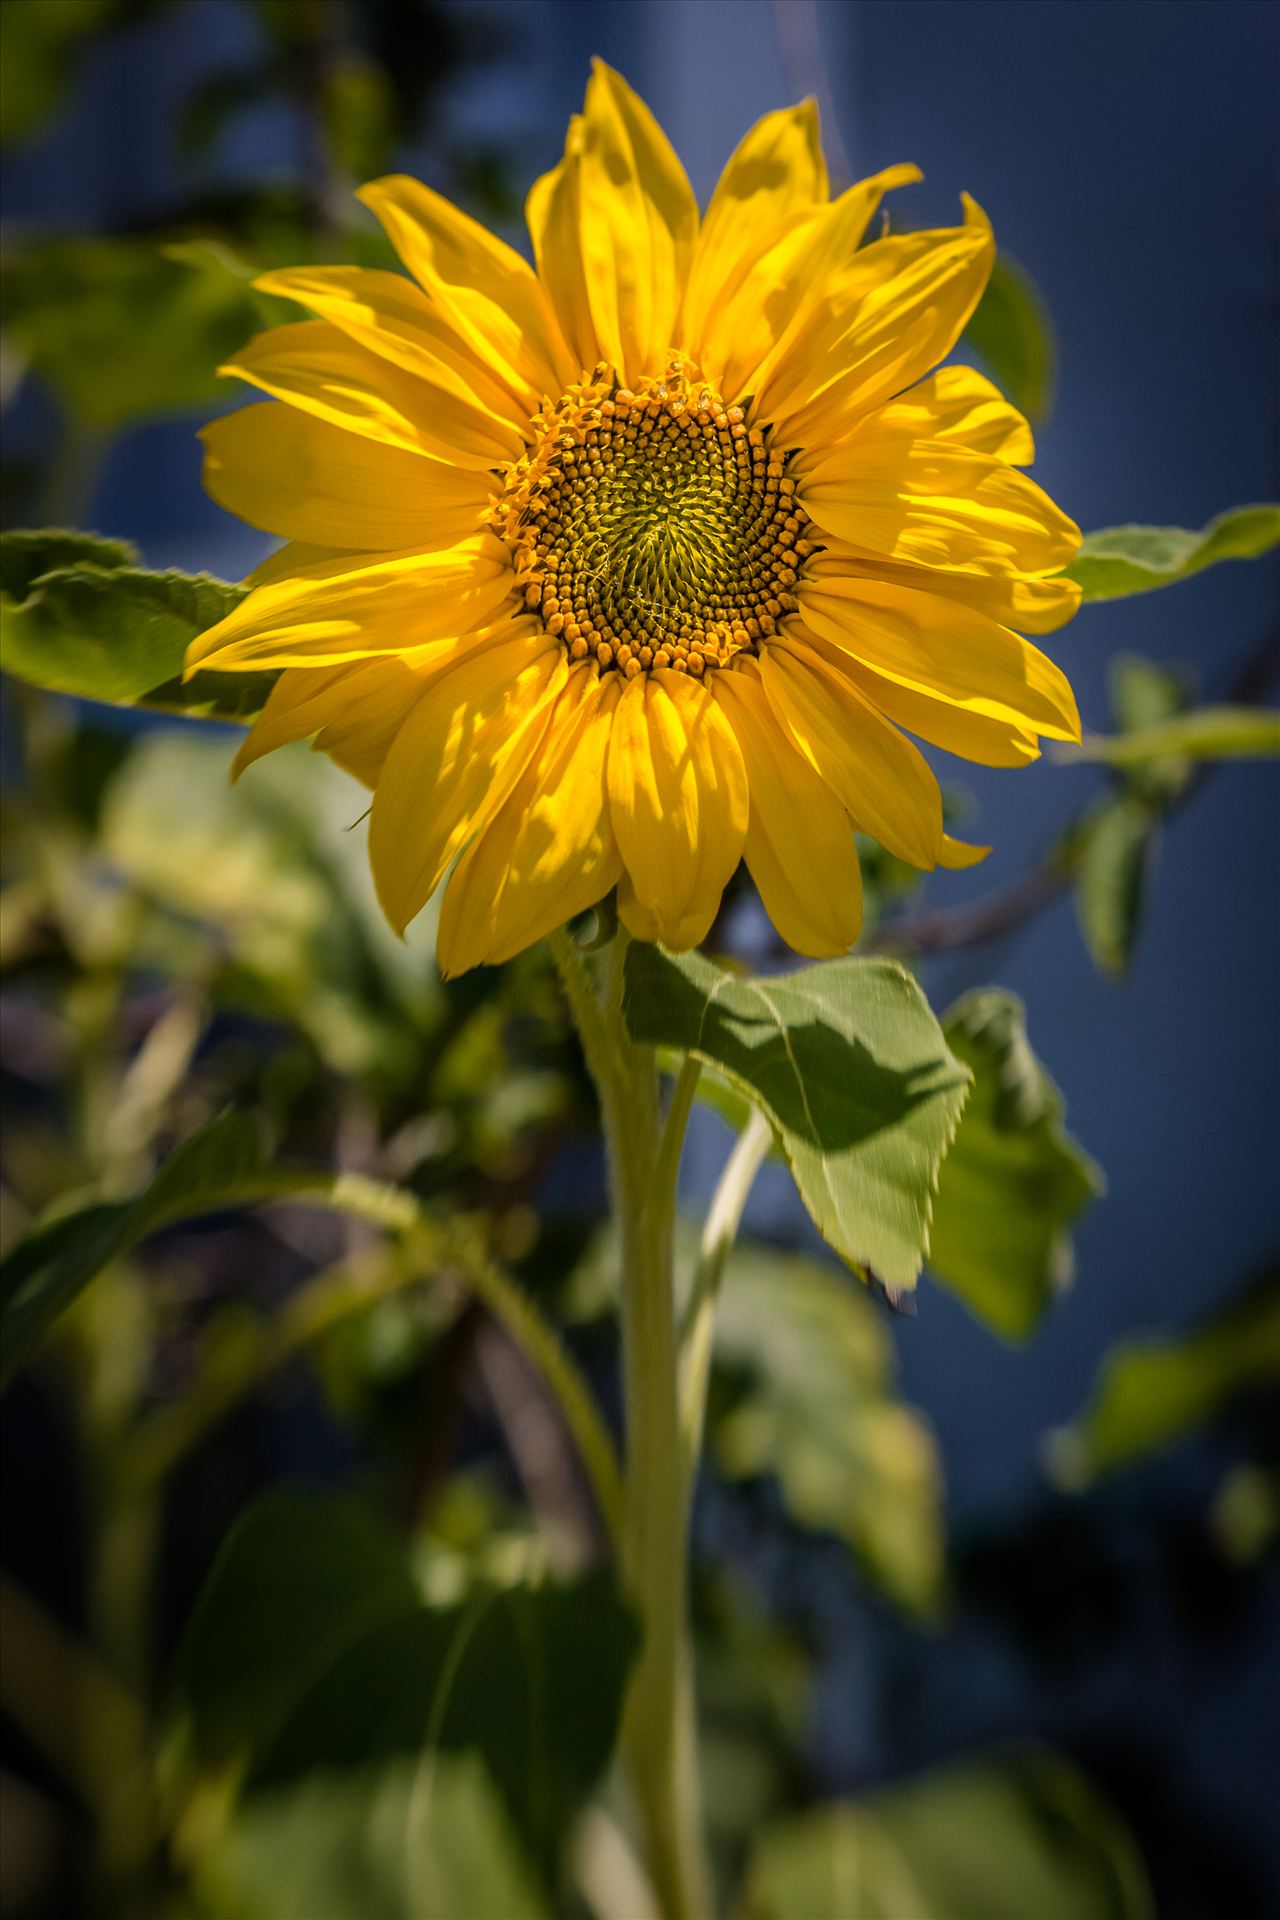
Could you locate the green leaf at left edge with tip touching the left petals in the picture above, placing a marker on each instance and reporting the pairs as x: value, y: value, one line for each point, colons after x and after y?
x: 108, y: 631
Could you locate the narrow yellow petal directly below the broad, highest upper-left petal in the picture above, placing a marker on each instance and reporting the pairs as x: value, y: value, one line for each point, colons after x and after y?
x: 392, y: 318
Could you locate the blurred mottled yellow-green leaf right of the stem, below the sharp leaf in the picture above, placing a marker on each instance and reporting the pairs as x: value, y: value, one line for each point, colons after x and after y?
x: 815, y: 1404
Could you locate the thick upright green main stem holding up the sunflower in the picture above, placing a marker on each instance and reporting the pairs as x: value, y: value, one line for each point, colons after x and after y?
x: 644, y: 1161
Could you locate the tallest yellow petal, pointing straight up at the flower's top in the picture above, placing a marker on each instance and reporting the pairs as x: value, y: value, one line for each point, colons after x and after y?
x: 615, y: 231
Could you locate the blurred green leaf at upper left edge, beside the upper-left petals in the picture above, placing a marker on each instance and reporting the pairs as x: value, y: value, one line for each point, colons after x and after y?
x: 120, y: 327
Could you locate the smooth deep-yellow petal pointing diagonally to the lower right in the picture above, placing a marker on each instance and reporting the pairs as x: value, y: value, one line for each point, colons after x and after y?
x: 872, y: 769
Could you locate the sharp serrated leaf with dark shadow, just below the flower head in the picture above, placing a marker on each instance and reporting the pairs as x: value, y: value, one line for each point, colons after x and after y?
x: 853, y: 1072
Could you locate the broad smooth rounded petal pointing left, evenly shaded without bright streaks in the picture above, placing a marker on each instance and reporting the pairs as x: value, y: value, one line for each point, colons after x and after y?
x: 308, y: 481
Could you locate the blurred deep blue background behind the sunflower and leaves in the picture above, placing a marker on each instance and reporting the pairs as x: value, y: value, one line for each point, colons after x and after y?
x: 1127, y: 155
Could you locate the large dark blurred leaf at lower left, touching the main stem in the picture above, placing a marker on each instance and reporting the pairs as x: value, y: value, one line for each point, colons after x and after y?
x: 318, y: 1658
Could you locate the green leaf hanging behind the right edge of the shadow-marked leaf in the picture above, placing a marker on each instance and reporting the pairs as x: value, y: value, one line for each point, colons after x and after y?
x: 1014, y: 1180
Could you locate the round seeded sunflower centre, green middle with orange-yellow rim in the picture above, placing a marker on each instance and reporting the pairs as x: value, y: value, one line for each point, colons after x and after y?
x: 653, y: 527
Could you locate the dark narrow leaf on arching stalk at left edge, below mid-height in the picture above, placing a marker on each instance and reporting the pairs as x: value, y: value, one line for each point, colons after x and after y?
x: 220, y: 1166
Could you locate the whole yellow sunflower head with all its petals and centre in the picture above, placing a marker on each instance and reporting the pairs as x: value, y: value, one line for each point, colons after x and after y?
x: 634, y: 565
